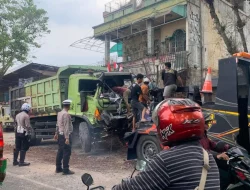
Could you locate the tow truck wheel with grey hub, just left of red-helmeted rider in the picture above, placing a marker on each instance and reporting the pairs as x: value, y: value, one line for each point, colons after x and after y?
x: 147, y: 147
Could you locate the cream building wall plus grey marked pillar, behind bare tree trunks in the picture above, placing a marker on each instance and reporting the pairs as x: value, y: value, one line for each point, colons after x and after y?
x: 204, y: 44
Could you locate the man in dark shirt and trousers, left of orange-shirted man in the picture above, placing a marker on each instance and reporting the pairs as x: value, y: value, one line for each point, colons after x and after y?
x: 137, y: 107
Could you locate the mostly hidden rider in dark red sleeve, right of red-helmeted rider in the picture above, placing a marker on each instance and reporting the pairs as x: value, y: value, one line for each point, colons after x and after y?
x: 220, y: 157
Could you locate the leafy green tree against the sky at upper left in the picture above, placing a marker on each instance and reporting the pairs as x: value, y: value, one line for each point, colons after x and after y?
x: 21, y: 25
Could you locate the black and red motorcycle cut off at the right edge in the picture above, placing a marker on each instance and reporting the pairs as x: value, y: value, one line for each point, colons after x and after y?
x: 239, y: 169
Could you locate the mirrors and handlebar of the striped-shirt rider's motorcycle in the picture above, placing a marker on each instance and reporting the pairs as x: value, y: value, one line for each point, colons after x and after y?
x: 88, y: 180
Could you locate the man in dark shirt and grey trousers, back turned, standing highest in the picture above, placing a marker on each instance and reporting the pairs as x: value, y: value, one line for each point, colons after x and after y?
x: 169, y: 77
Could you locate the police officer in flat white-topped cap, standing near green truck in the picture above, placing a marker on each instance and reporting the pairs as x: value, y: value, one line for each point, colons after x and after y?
x: 63, y: 135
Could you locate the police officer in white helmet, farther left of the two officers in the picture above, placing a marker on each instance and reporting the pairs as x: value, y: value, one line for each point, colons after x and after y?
x: 22, y: 131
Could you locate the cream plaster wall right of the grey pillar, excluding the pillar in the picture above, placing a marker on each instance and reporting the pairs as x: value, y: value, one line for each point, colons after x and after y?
x: 213, y: 46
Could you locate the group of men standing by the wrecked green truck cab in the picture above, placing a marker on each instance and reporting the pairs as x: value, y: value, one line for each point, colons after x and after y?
x: 139, y: 92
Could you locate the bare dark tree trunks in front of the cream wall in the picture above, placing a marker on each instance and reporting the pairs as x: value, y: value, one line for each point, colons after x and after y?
x: 221, y: 28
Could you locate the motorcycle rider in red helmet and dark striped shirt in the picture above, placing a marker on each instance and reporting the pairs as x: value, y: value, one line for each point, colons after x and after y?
x: 180, y: 167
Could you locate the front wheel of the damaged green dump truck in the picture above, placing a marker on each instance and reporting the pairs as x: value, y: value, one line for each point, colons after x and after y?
x: 85, y: 137
